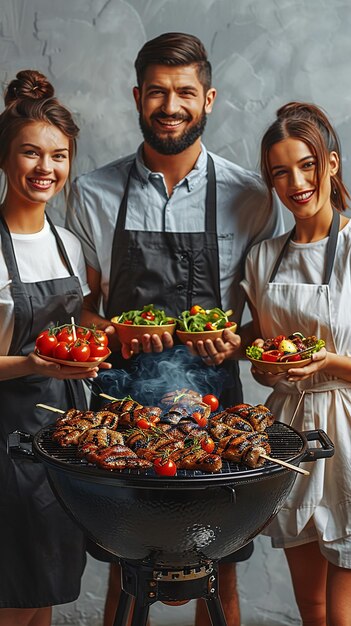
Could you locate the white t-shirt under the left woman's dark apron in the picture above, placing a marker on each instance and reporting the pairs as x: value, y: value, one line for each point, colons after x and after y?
x: 38, y: 259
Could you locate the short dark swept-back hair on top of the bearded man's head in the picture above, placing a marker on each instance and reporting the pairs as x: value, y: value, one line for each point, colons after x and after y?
x: 174, y: 49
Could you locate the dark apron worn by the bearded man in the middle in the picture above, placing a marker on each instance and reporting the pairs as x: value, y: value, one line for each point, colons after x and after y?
x: 171, y: 270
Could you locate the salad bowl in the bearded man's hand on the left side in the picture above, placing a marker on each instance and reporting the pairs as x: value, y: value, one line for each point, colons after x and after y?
x: 138, y: 322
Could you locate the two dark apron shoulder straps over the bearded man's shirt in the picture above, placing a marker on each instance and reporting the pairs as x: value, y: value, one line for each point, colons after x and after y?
x: 211, y: 198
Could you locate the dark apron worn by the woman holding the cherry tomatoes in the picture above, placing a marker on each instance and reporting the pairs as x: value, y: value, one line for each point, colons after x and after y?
x: 42, y: 550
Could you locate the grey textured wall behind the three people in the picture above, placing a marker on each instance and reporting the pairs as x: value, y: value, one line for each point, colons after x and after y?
x: 263, y: 55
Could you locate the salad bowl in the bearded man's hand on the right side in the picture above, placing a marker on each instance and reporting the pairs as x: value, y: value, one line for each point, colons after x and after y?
x: 199, y: 324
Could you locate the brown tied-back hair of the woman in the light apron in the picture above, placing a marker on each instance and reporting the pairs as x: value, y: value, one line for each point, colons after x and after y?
x: 307, y: 122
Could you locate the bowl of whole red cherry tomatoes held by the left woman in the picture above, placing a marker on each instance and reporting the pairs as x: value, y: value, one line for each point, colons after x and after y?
x: 74, y: 345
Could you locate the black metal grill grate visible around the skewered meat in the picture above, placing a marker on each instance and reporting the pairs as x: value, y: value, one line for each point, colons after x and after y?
x: 286, y: 443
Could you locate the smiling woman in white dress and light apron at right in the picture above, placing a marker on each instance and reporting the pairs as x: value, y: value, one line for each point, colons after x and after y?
x: 301, y: 281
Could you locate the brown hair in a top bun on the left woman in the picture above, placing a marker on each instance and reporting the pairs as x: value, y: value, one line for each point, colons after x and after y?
x: 30, y: 98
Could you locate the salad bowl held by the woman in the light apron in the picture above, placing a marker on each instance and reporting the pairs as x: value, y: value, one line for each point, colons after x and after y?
x: 281, y: 353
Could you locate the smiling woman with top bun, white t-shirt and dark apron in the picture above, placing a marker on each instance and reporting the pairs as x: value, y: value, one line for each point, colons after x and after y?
x: 42, y: 550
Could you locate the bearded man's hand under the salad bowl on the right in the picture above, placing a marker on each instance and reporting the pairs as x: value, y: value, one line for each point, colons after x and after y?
x: 217, y: 351
